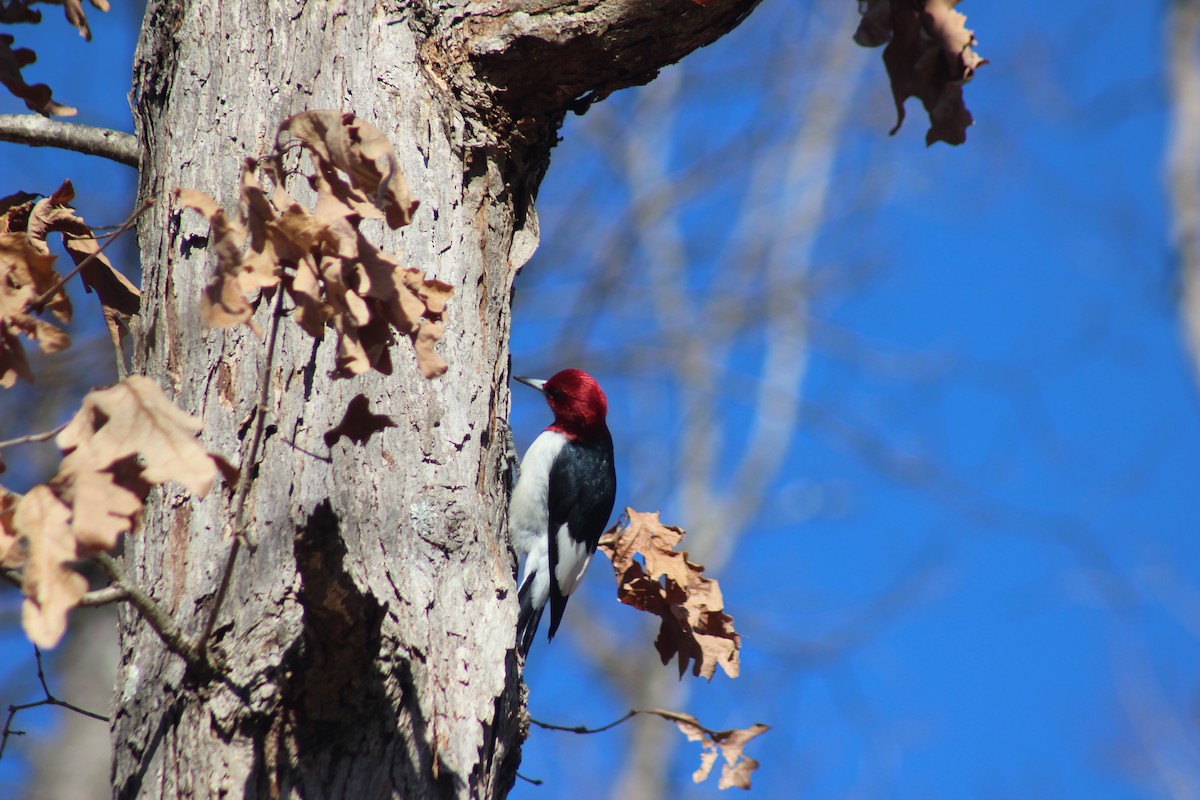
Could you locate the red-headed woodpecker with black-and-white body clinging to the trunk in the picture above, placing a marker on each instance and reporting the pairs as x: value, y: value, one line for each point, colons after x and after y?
x: 563, y: 498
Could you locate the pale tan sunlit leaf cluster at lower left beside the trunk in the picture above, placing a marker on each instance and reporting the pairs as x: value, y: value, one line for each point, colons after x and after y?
x: 124, y: 441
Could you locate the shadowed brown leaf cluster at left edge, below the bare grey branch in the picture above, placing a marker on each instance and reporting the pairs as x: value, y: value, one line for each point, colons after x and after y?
x: 31, y: 286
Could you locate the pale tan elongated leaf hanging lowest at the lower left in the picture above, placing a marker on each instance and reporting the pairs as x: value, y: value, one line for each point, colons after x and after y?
x: 51, y: 587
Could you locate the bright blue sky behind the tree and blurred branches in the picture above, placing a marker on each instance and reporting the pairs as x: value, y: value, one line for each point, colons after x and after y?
x: 999, y: 478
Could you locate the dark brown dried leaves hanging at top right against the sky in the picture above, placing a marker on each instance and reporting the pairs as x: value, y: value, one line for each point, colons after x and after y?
x: 929, y: 56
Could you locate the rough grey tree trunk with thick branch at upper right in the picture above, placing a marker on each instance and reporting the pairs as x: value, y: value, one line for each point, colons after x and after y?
x: 365, y: 648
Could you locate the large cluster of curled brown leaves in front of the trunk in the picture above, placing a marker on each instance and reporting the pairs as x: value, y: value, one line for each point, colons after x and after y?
x: 334, y: 275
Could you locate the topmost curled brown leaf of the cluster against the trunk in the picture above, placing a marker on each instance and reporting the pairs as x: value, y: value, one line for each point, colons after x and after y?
x: 356, y: 147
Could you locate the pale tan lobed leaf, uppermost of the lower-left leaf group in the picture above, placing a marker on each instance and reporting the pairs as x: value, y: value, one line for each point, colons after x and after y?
x: 136, y: 419
